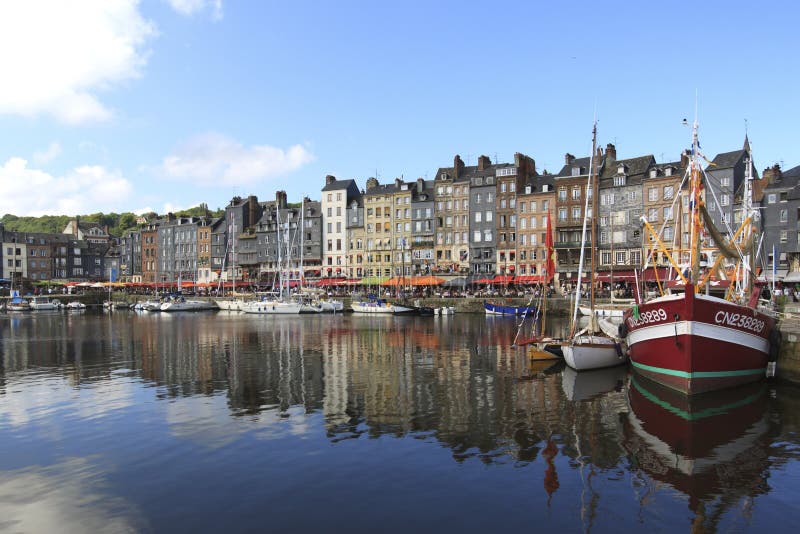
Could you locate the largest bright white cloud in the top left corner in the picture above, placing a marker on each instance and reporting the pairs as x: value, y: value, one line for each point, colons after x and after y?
x: 55, y: 55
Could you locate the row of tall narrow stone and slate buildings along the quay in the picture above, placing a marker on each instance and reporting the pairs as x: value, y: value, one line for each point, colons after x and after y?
x: 486, y: 220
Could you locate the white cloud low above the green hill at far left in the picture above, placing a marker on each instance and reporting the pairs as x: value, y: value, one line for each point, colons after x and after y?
x: 84, y: 189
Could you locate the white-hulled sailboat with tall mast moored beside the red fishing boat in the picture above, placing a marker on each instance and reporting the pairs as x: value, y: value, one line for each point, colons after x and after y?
x: 590, y: 348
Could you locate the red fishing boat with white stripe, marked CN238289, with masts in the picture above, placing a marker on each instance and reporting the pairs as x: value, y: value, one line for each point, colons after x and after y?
x: 696, y: 342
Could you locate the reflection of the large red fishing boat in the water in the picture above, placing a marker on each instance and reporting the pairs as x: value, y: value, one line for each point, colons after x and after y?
x: 711, y: 447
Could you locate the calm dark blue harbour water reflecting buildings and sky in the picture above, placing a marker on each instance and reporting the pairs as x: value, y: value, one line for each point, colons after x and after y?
x: 223, y: 422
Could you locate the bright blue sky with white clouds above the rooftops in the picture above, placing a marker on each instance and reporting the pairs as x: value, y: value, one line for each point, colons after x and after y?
x: 160, y: 105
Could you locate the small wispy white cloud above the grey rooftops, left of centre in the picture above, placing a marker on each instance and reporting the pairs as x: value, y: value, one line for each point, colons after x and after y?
x: 213, y: 159
